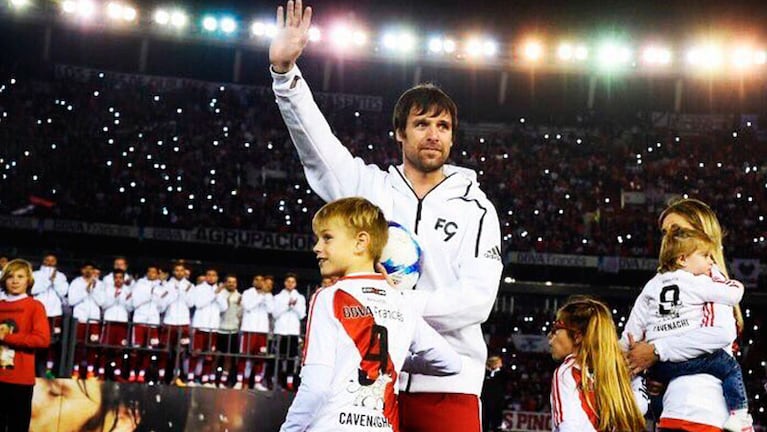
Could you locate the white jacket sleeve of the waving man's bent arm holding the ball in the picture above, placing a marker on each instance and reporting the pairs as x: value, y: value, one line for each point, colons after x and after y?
x: 469, y: 299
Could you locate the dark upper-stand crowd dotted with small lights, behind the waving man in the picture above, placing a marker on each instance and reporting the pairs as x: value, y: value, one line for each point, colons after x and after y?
x: 103, y: 147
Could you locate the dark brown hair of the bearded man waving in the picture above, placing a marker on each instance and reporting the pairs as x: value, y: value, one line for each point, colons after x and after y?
x: 424, y: 98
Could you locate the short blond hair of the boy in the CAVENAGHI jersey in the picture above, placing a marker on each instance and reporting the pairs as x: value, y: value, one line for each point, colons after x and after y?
x: 357, y: 215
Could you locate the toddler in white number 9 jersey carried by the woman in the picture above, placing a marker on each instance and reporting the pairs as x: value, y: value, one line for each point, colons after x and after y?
x: 680, y: 298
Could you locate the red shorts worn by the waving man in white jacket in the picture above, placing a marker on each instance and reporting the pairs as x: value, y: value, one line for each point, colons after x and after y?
x: 443, y: 412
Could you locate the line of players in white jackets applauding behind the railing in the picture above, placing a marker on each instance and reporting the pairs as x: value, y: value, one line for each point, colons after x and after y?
x: 163, y: 327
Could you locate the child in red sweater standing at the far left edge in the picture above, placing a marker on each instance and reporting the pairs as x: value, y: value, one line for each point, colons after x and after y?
x: 23, y: 329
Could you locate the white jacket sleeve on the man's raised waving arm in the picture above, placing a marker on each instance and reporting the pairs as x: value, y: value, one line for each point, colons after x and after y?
x: 331, y: 170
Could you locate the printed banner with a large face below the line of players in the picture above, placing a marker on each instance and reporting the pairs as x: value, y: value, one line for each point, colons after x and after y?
x: 68, y: 405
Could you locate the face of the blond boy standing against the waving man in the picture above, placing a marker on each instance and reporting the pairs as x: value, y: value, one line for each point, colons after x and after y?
x: 334, y: 248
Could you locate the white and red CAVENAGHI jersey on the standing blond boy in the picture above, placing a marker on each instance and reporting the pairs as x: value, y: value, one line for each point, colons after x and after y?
x: 361, y: 331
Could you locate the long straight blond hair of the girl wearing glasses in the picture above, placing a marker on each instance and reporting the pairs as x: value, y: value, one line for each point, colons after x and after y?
x: 604, y: 369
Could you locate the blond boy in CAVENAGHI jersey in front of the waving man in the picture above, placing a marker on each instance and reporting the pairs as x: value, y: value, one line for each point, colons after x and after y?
x: 360, y: 331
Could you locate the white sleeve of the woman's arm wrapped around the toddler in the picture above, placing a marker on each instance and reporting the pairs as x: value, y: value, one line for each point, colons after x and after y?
x: 703, y: 340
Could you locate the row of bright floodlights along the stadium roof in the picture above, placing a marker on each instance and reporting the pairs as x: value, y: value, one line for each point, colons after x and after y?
x: 346, y: 37
